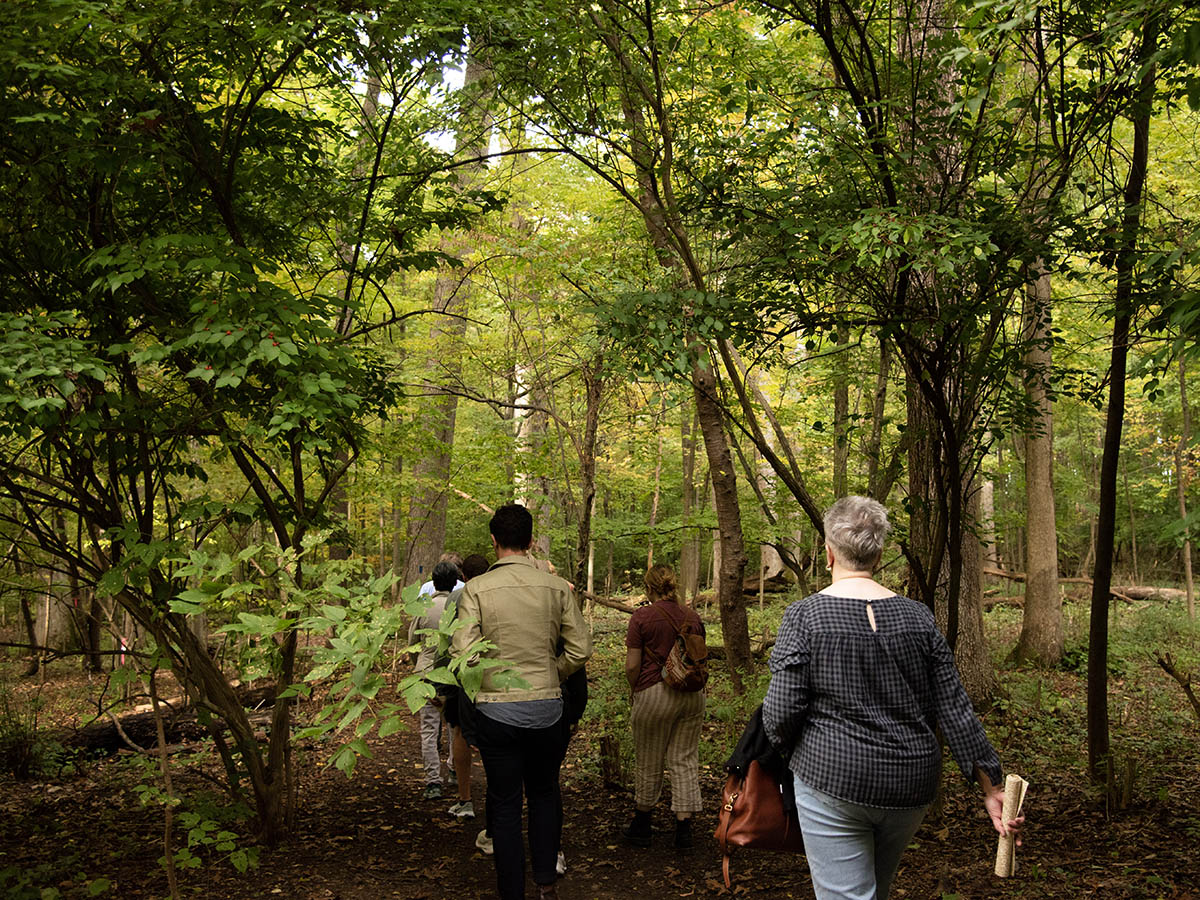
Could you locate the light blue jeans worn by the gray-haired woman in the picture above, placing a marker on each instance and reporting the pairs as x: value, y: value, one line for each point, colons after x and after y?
x: 854, y: 851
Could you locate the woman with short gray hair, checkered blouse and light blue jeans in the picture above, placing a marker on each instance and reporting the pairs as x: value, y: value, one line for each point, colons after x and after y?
x: 861, y: 681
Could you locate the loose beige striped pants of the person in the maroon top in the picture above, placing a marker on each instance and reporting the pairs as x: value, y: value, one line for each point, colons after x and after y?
x: 667, y: 731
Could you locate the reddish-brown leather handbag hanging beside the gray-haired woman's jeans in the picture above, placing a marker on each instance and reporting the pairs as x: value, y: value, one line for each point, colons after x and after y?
x: 753, y: 817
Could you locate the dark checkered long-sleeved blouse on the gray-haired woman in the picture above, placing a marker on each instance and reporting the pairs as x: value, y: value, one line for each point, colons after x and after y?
x: 856, y: 710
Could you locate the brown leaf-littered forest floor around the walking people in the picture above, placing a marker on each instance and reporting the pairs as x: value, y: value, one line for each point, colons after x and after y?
x: 86, y: 833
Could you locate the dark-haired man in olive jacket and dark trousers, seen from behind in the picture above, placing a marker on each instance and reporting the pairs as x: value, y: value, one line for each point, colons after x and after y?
x: 524, y: 613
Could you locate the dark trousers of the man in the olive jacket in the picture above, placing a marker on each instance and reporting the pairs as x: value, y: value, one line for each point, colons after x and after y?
x: 518, y: 760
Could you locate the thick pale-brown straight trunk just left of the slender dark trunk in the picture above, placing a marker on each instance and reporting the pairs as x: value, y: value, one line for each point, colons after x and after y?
x: 1042, y: 633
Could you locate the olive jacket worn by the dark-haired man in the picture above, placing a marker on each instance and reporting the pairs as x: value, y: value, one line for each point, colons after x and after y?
x: 525, y: 613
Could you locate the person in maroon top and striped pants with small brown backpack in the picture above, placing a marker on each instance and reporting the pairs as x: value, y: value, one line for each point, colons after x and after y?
x: 667, y: 723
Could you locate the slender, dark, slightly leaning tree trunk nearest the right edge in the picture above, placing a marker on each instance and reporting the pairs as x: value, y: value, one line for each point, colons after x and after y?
x: 1100, y: 765
